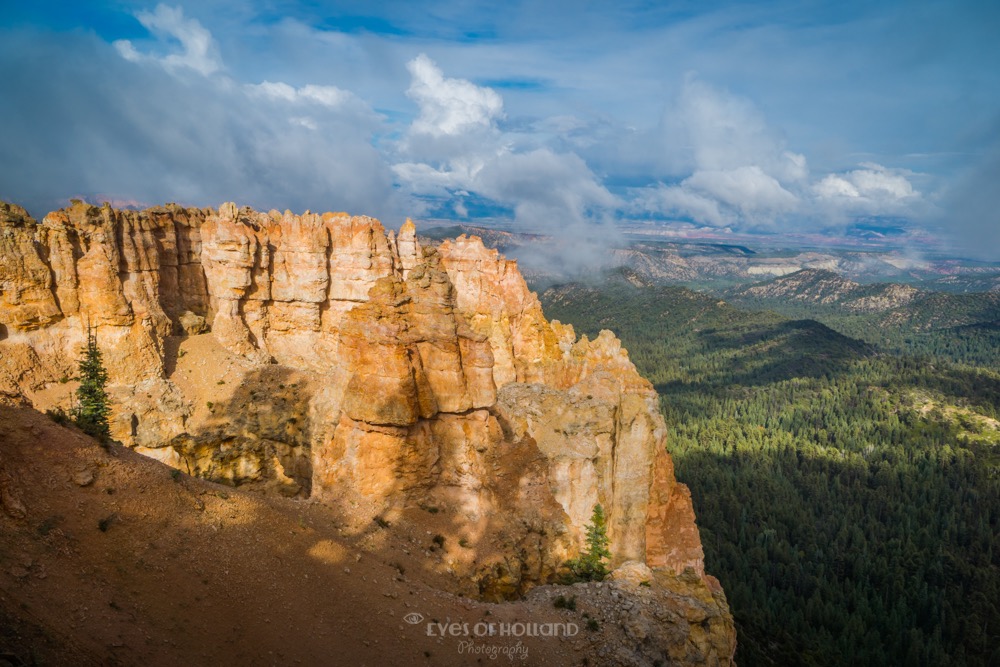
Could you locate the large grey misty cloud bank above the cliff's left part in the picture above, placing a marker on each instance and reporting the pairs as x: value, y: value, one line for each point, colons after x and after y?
x: 199, y: 140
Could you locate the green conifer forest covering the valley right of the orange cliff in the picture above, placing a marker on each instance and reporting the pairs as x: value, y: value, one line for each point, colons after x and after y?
x: 849, y: 499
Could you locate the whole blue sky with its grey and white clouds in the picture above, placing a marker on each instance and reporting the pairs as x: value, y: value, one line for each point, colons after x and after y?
x: 560, y: 116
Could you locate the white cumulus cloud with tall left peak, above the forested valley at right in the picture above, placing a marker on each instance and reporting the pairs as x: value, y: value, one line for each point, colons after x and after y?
x: 732, y: 168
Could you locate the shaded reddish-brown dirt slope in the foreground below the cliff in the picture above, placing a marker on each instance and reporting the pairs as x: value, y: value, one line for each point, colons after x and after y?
x: 112, y: 558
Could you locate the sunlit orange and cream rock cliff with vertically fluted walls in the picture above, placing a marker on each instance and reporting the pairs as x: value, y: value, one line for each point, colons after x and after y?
x: 359, y: 367
